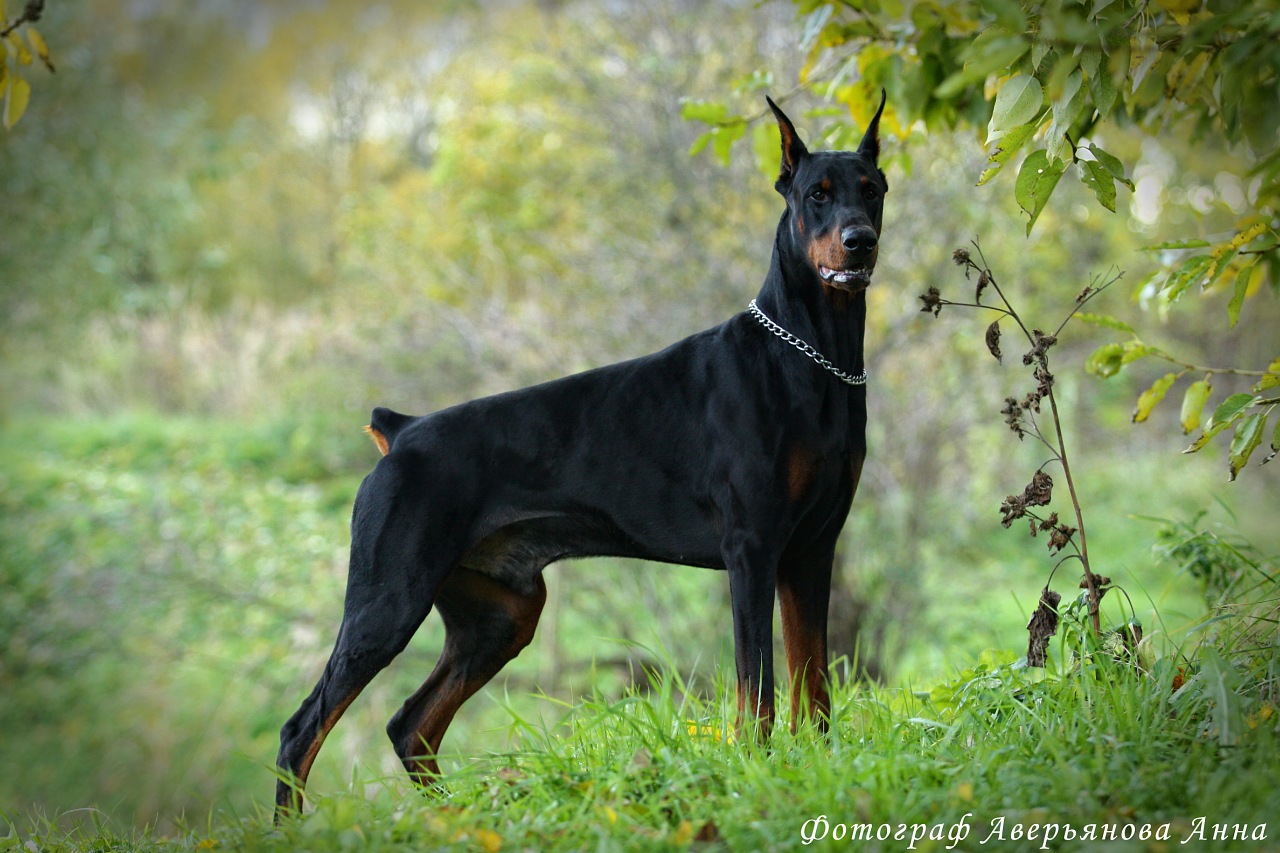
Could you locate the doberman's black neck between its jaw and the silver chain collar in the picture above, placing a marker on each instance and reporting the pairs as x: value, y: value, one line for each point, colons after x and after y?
x: 833, y: 321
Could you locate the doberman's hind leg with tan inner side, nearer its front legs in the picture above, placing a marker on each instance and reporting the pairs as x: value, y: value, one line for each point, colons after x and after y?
x: 487, y: 624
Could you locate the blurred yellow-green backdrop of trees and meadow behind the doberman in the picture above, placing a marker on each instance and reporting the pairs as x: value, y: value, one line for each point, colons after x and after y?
x: 232, y: 229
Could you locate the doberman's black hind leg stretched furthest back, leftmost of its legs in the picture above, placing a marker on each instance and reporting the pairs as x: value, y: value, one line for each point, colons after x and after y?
x: 396, y: 568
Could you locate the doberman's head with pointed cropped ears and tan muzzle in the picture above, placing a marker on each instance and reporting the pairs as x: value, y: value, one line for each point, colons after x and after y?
x: 836, y: 202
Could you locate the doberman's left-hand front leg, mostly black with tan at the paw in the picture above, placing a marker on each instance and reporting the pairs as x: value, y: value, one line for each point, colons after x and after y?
x: 752, y: 578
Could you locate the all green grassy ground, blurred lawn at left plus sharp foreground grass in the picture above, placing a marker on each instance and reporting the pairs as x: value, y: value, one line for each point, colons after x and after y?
x: 168, y: 595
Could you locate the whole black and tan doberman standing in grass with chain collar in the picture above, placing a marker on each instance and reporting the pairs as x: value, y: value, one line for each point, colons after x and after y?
x: 737, y: 449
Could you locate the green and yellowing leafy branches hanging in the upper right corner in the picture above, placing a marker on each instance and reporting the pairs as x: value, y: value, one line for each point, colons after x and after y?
x: 1062, y: 80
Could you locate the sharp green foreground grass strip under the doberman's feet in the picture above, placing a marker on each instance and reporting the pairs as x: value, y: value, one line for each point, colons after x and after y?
x: 1103, y: 746
